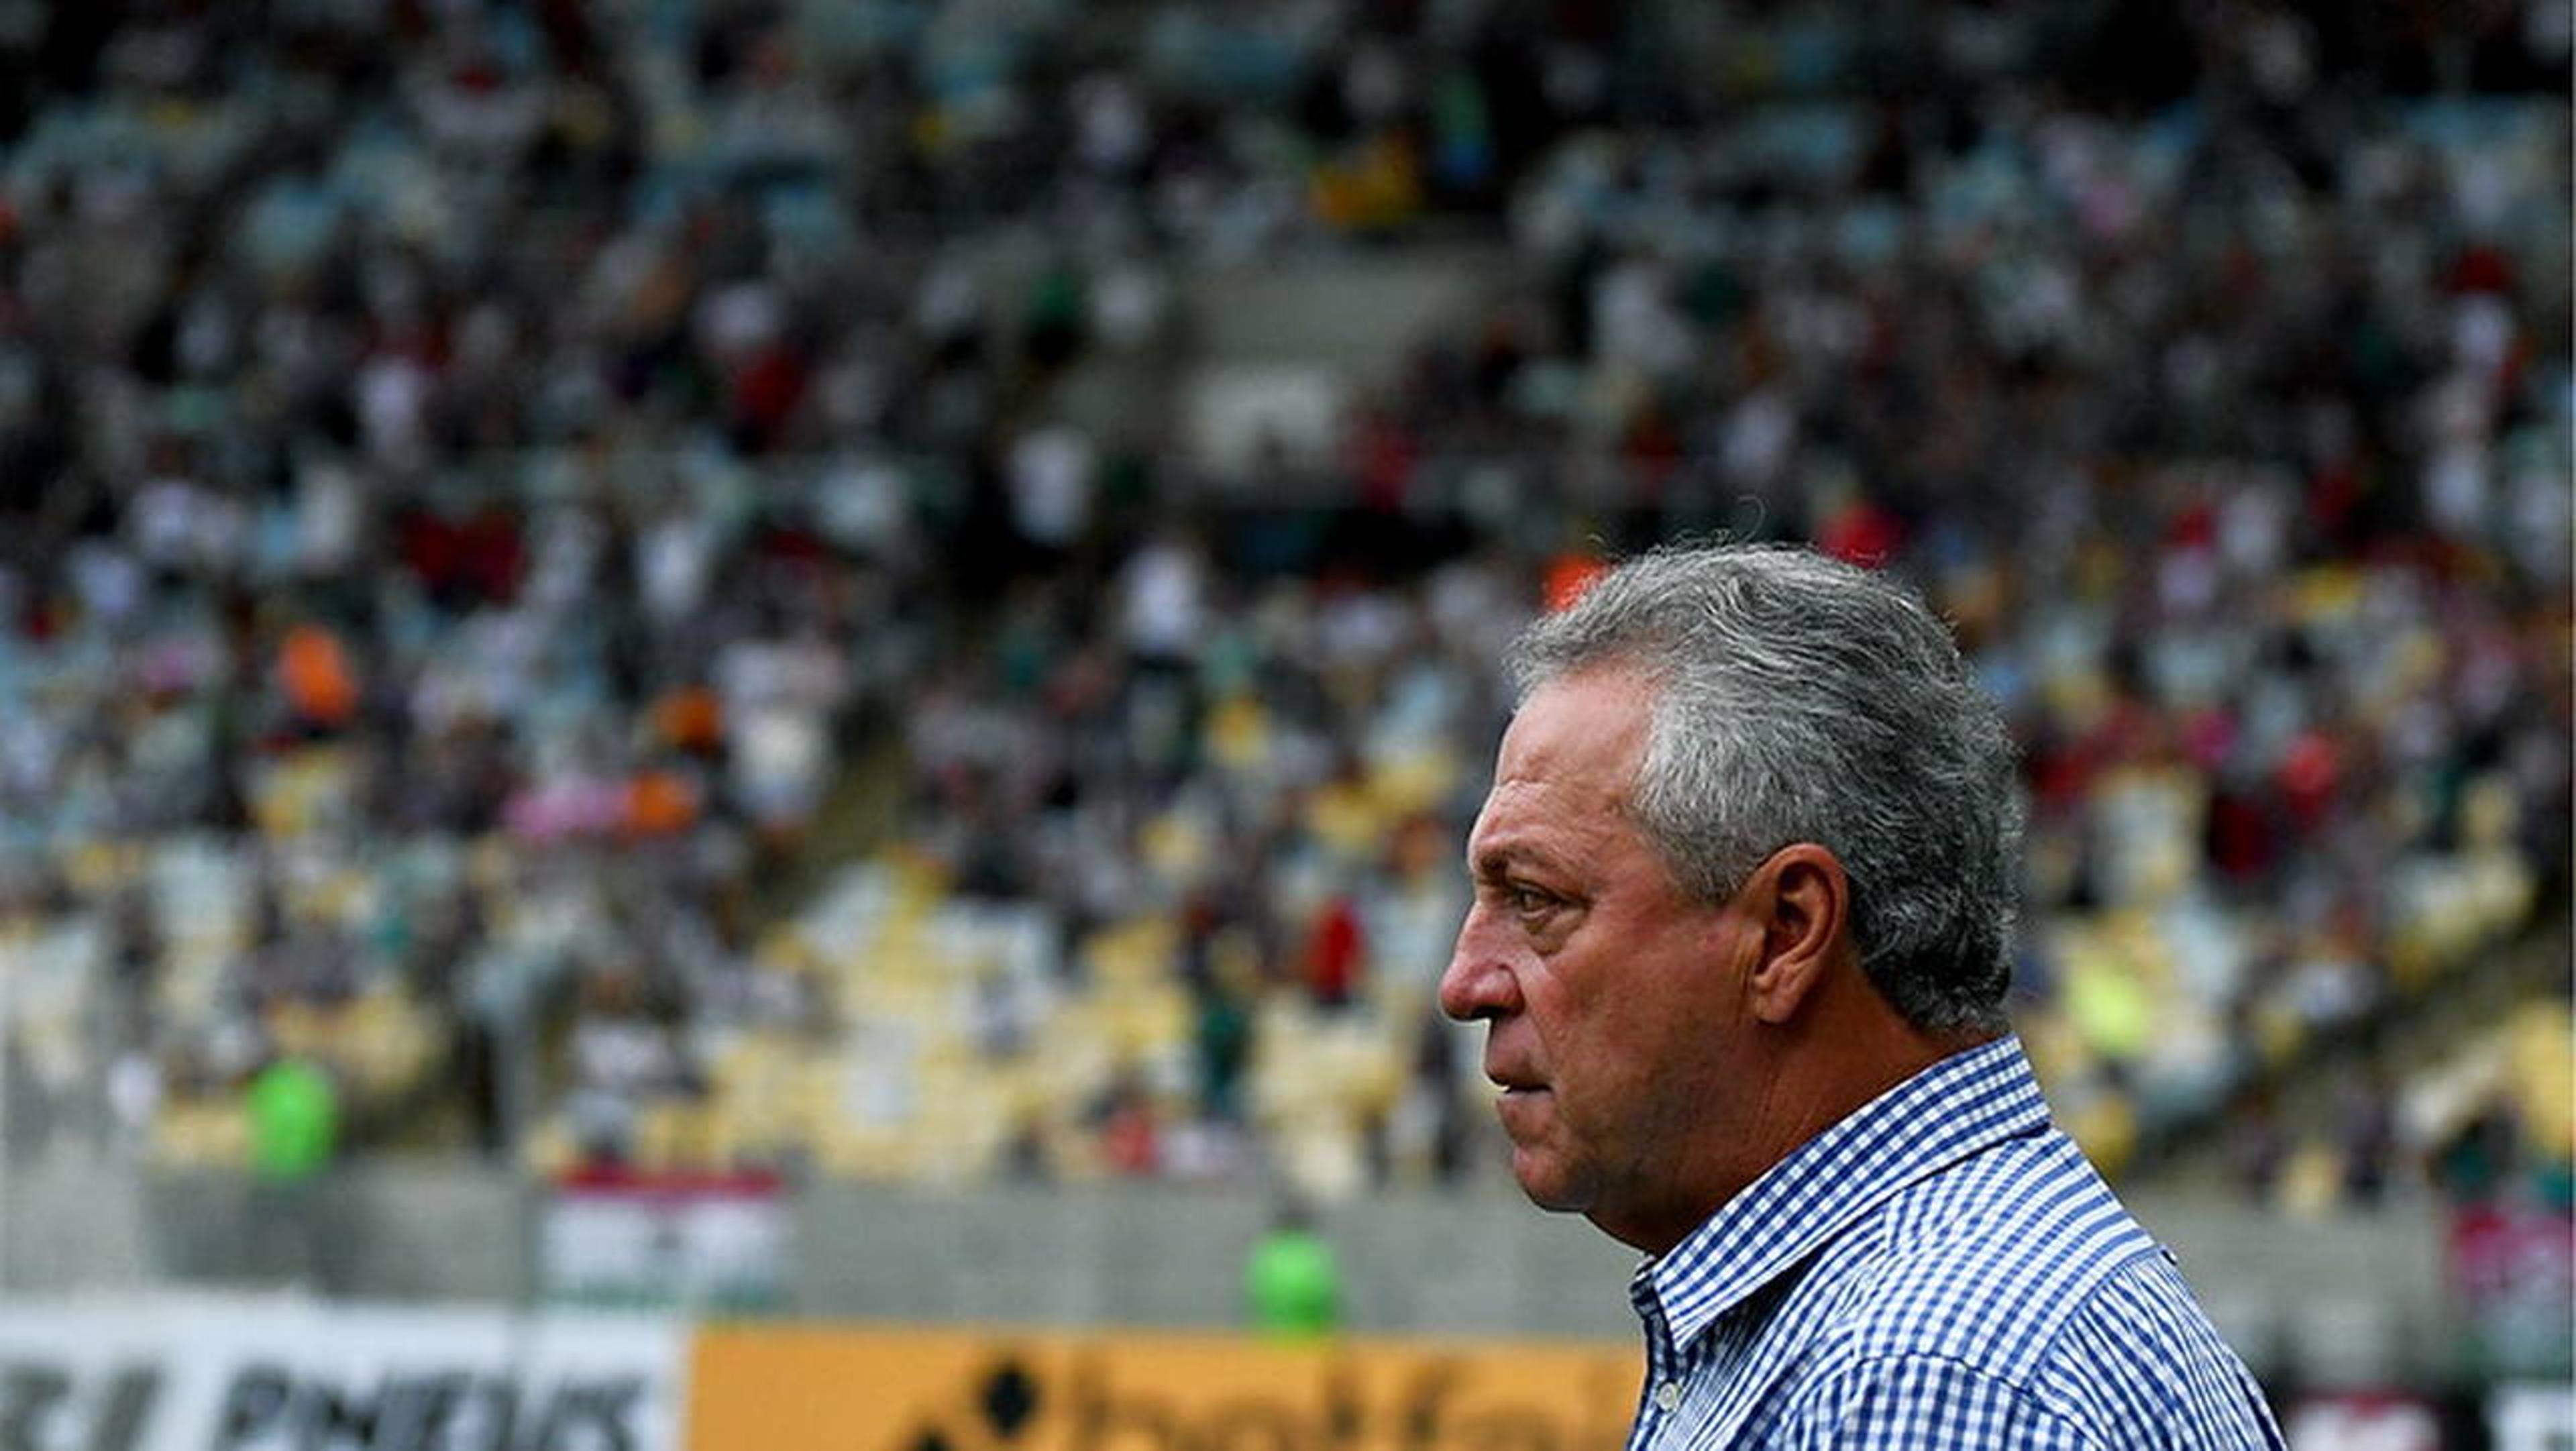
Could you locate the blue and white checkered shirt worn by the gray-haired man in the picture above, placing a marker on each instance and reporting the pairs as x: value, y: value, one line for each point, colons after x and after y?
x: 1946, y: 1272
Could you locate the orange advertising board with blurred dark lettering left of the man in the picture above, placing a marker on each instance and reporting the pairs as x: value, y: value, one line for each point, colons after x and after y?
x: 784, y: 1388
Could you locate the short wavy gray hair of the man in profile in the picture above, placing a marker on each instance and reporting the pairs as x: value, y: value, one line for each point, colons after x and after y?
x: 1804, y: 700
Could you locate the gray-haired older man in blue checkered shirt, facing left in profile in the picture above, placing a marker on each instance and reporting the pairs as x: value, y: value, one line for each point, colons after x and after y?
x: 1743, y: 939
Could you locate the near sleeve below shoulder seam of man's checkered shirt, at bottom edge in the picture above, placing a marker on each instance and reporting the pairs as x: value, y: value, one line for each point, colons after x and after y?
x: 1905, y: 1403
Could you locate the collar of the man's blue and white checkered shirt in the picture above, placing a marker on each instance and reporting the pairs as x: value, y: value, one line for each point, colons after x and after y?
x: 1938, y: 1117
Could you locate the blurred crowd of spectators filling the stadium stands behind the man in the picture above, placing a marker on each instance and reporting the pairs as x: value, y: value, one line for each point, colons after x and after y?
x: 501, y: 499
